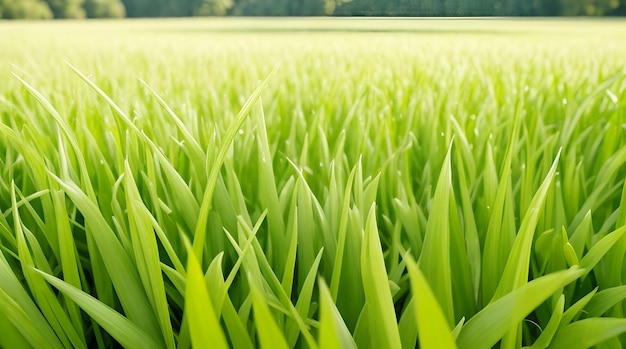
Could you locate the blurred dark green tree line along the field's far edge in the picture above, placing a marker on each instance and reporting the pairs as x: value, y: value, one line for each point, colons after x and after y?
x: 48, y: 9
